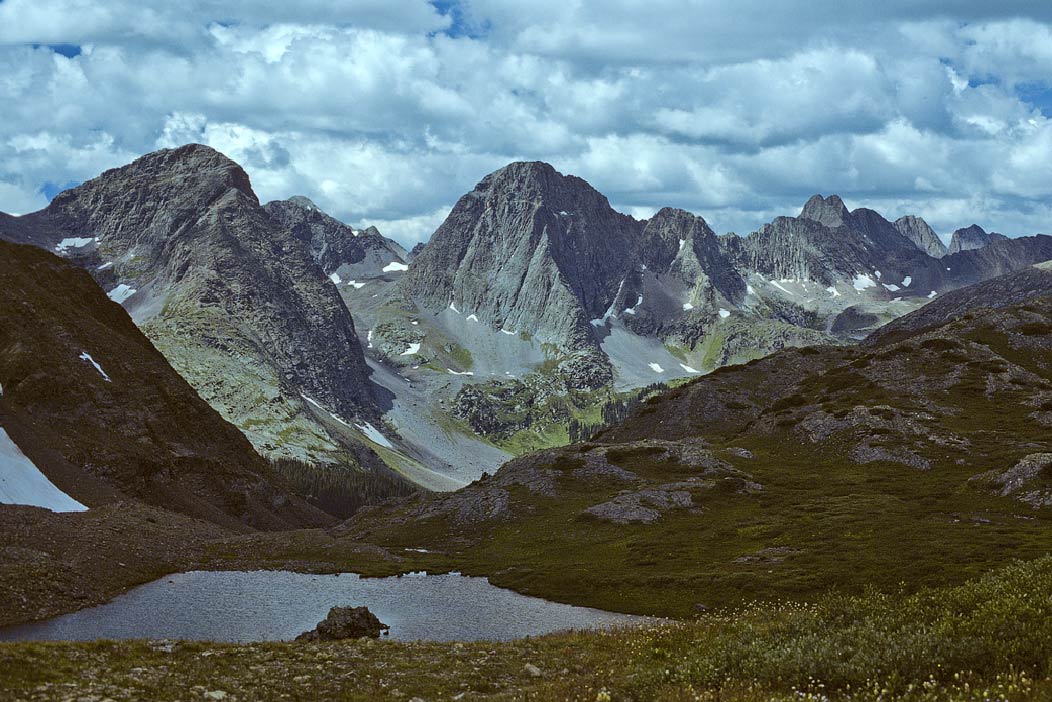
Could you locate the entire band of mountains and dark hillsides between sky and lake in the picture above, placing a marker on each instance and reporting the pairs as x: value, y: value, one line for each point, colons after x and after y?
x: 640, y: 416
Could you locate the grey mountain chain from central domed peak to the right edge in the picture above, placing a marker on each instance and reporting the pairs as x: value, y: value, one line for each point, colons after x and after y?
x: 533, y: 252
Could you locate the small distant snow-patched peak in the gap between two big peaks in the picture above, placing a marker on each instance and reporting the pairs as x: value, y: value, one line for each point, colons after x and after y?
x: 345, y: 254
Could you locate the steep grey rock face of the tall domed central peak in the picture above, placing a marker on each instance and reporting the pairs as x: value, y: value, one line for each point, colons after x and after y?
x: 529, y: 249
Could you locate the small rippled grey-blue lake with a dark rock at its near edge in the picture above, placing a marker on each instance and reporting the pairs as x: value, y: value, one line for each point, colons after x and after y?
x: 277, y: 606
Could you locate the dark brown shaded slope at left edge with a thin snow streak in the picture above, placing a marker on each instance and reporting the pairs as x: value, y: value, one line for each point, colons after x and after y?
x: 102, y: 413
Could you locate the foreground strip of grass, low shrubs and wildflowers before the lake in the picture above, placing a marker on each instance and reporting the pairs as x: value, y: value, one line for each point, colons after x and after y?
x: 989, y: 639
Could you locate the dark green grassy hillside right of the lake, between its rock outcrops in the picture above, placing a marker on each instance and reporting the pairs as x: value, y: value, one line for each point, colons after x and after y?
x: 836, y: 524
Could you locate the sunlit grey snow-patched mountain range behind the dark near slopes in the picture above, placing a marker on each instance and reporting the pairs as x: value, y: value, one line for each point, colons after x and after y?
x: 534, y: 304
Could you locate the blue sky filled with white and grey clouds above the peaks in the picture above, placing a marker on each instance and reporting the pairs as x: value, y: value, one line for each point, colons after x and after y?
x: 386, y: 112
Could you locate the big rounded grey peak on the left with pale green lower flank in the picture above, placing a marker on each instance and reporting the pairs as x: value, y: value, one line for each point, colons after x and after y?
x: 233, y: 298
